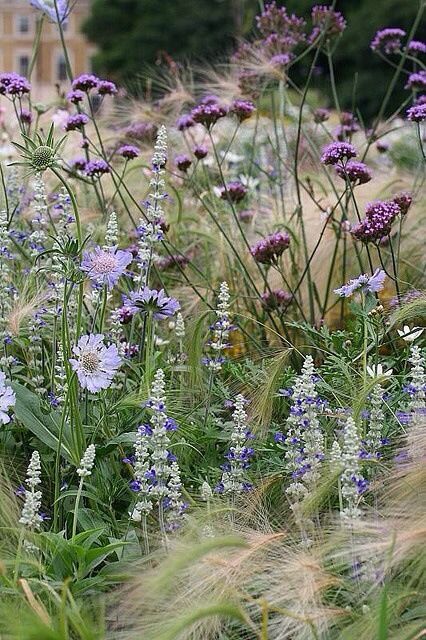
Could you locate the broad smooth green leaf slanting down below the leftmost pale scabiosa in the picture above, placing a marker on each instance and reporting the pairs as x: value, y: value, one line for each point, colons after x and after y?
x: 44, y: 426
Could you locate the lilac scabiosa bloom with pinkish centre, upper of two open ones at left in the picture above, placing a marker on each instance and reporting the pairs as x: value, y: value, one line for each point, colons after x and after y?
x: 106, y: 266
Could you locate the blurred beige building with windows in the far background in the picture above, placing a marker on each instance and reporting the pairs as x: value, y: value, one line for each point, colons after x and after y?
x: 15, y: 45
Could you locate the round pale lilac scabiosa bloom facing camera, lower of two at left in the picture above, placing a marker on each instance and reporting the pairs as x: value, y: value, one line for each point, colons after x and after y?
x: 95, y: 364
